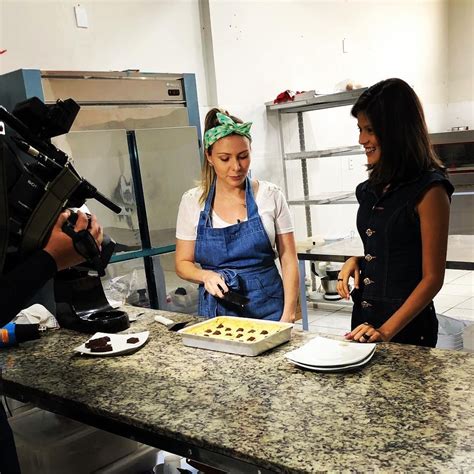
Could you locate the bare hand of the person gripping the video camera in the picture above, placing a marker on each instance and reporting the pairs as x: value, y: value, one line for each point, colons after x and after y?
x: 60, y: 245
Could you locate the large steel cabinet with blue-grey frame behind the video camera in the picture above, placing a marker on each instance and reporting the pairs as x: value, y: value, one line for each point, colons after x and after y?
x: 137, y: 139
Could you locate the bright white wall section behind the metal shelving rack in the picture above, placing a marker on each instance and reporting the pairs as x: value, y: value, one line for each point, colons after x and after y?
x: 264, y: 47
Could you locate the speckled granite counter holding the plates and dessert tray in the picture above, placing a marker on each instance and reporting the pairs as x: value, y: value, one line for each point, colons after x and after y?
x: 410, y: 409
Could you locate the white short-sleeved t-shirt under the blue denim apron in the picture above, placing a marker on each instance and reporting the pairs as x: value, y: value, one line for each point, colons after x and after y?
x: 272, y: 208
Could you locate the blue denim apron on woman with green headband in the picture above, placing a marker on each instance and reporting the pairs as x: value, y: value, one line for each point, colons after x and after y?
x: 243, y: 255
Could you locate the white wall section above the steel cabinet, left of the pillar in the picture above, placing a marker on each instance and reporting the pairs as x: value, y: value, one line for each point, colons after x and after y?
x: 150, y: 35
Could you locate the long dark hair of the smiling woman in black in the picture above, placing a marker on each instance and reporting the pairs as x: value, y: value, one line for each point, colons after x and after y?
x: 397, y: 119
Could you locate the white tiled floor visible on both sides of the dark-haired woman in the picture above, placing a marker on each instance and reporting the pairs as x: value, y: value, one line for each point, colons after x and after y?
x: 455, y: 300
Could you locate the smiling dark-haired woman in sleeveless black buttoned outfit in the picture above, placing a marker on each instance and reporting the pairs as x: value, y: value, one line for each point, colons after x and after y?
x: 403, y: 220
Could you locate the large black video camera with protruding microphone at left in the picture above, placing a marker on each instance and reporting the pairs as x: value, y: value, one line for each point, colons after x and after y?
x: 37, y: 187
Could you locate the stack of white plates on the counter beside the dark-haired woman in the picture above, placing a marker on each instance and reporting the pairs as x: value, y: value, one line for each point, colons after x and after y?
x: 328, y: 355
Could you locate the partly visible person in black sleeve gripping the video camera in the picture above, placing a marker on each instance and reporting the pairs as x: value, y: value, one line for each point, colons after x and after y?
x: 19, y: 284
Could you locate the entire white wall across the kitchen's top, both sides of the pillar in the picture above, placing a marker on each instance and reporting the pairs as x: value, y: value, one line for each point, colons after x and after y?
x: 261, y: 48
